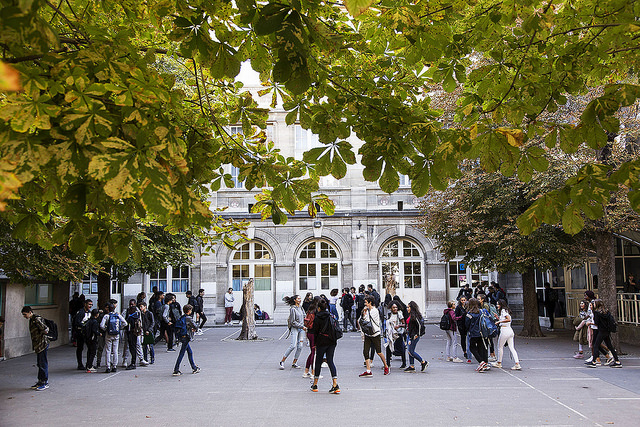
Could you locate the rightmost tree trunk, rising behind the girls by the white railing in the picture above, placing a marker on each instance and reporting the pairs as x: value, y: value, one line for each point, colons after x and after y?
x: 605, y: 252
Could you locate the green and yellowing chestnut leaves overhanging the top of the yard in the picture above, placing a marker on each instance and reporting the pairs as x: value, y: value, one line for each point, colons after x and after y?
x: 124, y: 105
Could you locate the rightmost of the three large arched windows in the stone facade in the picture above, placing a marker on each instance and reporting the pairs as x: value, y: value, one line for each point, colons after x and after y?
x: 401, y: 260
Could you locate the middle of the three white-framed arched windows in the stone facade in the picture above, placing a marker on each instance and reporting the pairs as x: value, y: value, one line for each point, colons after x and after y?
x: 318, y: 263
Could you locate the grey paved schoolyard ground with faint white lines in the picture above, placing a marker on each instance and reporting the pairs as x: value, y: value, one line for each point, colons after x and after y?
x: 240, y: 384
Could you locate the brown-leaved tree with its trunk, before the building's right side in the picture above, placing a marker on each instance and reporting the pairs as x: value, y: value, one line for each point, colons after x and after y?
x: 476, y: 216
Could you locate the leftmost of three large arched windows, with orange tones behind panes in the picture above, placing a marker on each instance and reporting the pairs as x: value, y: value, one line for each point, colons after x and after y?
x: 252, y: 260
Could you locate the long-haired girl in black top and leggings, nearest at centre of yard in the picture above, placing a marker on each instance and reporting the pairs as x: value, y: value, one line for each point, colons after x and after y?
x: 326, y: 343
